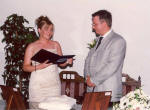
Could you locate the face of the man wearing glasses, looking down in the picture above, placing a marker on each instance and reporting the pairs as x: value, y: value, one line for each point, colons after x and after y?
x: 97, y: 25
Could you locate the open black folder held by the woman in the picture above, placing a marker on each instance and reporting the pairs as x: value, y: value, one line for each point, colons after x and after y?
x: 44, y: 55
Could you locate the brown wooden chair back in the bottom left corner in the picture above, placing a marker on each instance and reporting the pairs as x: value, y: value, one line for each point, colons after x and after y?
x: 13, y: 98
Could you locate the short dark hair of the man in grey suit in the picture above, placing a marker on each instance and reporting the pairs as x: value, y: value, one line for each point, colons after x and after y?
x: 104, y: 15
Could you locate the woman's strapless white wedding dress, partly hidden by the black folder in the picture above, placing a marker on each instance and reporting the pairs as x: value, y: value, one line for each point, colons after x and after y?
x: 44, y: 83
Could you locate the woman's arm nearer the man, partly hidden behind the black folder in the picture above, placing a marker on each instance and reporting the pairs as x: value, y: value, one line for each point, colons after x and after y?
x: 59, y: 51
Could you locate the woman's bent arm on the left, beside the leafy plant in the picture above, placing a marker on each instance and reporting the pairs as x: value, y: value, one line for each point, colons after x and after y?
x: 27, y: 61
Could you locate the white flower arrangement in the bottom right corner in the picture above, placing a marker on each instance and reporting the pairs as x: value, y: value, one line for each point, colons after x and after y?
x: 135, y: 100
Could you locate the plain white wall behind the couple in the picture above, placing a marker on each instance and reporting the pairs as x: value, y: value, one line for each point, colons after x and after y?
x: 72, y: 19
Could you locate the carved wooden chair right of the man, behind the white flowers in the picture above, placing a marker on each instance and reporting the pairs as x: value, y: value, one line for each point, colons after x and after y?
x: 130, y: 84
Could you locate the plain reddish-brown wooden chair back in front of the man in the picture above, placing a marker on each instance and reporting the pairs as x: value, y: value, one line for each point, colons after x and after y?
x: 96, y: 100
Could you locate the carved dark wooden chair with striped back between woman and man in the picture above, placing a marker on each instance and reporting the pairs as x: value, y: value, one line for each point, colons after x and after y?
x: 73, y: 85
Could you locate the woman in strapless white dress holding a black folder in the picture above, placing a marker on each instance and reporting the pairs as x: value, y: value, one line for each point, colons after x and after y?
x: 44, y: 80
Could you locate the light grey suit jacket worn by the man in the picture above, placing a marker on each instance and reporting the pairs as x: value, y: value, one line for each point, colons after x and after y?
x: 104, y: 65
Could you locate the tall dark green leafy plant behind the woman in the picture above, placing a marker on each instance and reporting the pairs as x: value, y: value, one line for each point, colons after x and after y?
x: 16, y: 37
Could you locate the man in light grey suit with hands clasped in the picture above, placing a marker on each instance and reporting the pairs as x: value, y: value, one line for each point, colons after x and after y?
x: 103, y: 65
